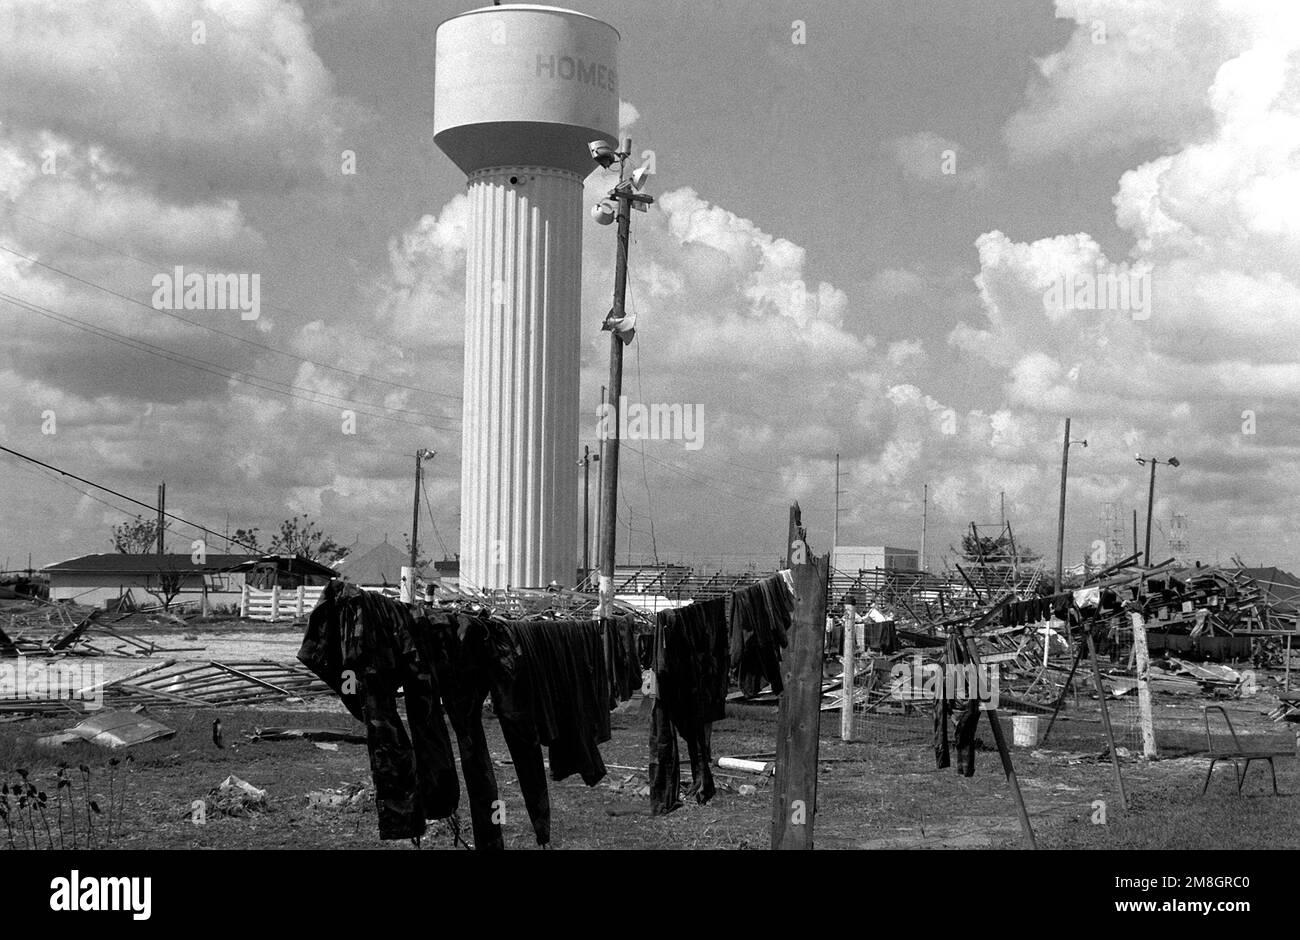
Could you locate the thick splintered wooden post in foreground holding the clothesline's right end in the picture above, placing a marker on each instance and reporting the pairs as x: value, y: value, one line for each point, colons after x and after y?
x: 800, y: 712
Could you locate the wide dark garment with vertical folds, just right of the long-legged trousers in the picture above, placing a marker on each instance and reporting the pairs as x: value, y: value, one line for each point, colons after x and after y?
x: 570, y: 694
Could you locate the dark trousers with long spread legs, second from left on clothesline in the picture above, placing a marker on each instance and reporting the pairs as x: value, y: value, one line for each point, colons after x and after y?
x: 475, y: 657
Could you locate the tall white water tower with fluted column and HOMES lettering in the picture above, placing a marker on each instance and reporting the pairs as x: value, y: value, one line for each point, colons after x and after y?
x: 519, y: 94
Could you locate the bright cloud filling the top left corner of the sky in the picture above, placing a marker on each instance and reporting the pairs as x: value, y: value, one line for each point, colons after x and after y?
x: 127, y: 79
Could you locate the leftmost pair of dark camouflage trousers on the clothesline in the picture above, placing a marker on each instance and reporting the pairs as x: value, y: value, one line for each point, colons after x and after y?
x: 366, y: 647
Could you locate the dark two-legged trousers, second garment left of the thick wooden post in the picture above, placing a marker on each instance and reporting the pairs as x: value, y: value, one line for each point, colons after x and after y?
x: 692, y: 659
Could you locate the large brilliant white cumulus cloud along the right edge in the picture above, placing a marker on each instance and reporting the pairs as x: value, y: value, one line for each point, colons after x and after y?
x: 1219, y: 85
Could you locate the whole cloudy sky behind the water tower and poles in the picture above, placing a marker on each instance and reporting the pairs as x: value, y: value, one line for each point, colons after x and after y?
x: 863, y: 213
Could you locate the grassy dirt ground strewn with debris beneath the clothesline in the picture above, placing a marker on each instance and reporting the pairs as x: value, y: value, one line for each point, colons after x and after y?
x: 878, y: 792
